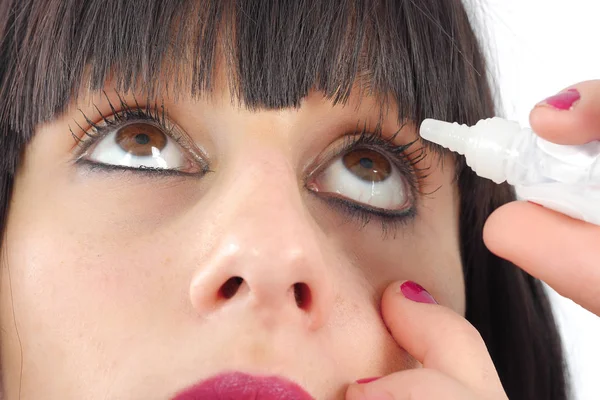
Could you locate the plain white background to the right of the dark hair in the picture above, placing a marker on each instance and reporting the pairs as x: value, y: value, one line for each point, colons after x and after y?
x: 541, y: 47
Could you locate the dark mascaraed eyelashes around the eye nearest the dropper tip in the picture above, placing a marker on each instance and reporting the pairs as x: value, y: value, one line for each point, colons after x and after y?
x: 402, y: 157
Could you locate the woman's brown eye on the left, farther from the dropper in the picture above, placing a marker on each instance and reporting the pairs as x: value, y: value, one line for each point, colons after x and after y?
x: 141, y: 145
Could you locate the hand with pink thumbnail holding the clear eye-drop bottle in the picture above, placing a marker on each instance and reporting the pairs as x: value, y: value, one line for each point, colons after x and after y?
x: 561, y: 251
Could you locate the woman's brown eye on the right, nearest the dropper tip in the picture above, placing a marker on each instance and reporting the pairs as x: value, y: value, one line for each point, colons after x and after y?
x: 367, y: 177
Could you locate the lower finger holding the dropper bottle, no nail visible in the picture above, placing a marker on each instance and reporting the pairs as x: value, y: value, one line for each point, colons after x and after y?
x: 561, y: 251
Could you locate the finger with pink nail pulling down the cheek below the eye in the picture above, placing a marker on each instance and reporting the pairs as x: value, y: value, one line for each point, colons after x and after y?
x: 438, y: 337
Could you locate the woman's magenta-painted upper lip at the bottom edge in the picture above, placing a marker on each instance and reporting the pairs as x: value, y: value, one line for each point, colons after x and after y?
x: 240, y: 386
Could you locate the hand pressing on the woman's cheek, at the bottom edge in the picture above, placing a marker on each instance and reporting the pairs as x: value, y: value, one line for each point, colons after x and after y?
x: 456, y: 364
